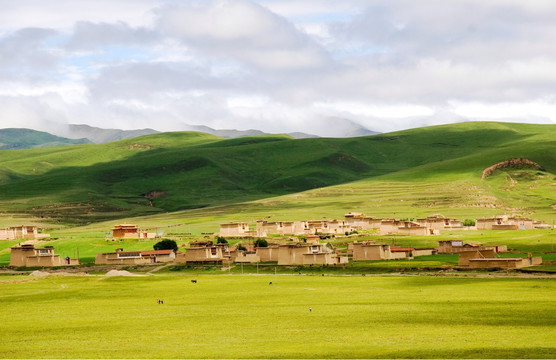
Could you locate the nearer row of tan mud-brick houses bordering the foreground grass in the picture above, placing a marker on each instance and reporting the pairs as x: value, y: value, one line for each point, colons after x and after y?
x: 308, y: 252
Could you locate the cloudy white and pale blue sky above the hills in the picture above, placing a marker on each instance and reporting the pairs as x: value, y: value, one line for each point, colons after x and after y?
x: 314, y: 66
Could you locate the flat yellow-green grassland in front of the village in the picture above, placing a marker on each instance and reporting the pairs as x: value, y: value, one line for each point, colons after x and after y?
x: 245, y: 317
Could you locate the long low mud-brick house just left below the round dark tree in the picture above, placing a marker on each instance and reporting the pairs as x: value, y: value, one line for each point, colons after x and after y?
x: 121, y: 257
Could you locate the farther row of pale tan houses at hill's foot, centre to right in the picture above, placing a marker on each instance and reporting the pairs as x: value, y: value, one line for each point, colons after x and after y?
x: 431, y: 225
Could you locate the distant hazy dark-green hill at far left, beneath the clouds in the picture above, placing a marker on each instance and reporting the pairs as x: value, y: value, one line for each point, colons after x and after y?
x: 16, y: 139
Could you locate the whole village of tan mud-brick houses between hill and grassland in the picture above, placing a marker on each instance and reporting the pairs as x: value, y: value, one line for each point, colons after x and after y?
x: 300, y: 243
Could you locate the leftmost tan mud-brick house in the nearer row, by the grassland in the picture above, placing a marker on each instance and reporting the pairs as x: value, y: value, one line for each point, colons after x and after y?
x: 29, y: 256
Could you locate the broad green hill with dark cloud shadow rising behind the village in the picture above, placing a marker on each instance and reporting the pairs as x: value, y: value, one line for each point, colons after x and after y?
x: 425, y: 170
